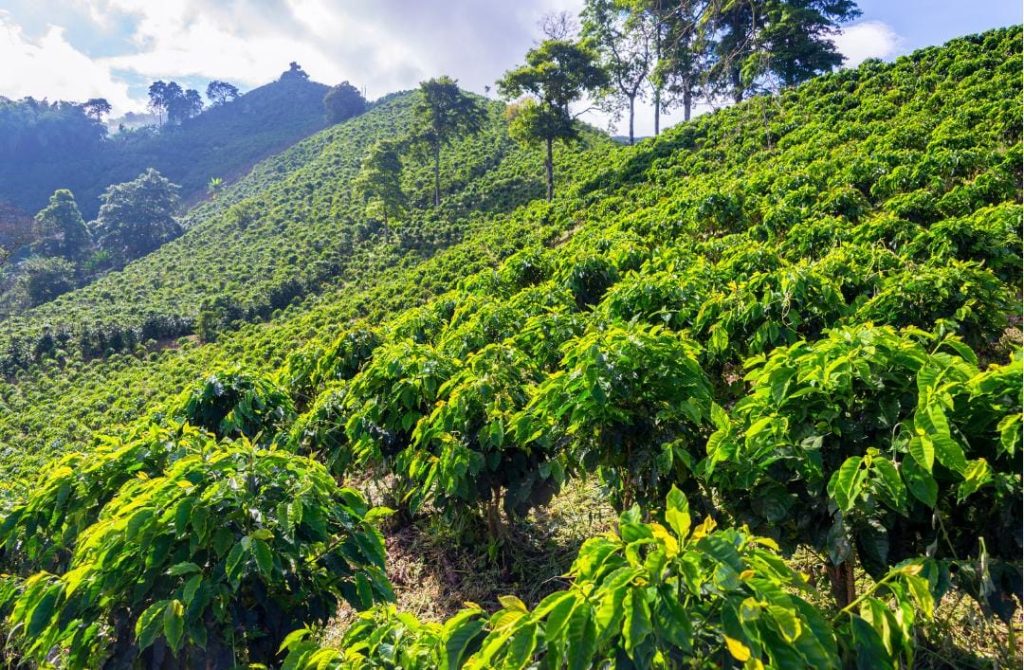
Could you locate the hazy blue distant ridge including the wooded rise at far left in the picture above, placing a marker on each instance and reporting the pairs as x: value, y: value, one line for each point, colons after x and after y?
x: 51, y: 146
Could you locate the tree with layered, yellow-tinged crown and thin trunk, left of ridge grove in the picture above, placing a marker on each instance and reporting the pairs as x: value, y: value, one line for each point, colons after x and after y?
x: 558, y: 73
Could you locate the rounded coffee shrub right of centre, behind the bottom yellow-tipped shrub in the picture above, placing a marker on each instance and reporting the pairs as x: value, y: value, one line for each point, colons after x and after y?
x: 627, y: 402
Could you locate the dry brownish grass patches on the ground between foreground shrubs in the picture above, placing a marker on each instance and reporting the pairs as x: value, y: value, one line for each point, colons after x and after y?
x: 435, y: 574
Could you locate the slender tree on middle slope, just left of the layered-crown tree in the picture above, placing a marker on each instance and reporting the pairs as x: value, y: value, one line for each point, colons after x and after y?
x: 443, y: 113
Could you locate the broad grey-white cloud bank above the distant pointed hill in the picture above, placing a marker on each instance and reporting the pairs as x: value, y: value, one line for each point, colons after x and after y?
x: 385, y: 47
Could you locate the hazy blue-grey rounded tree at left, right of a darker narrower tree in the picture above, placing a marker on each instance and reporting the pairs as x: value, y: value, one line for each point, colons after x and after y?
x: 138, y: 217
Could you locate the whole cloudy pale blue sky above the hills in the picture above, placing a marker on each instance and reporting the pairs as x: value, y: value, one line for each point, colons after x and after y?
x: 77, y: 50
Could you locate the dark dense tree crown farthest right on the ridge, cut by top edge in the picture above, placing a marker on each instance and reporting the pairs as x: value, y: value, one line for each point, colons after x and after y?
x: 789, y: 40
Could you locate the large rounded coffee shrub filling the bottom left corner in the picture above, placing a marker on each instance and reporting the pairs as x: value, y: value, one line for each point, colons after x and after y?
x: 219, y: 559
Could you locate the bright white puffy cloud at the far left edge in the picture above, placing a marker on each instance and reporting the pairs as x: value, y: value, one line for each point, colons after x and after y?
x: 52, y: 68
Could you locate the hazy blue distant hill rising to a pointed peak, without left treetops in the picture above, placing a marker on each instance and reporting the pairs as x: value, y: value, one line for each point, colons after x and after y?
x: 223, y: 142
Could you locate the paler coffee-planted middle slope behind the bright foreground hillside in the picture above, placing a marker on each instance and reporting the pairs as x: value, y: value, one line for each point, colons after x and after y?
x: 288, y: 227
